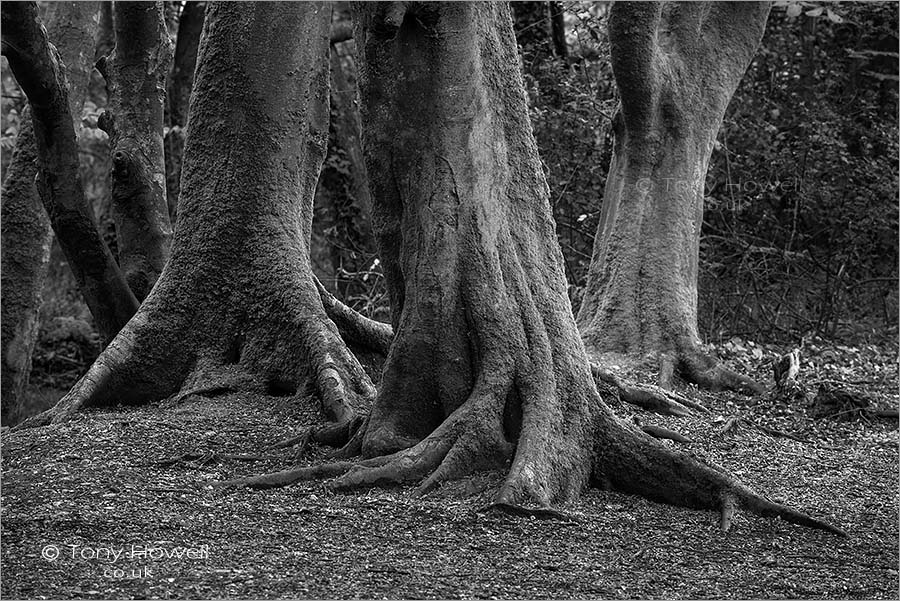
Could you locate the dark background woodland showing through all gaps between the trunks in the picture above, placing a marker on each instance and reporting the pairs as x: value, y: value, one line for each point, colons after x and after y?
x: 800, y: 224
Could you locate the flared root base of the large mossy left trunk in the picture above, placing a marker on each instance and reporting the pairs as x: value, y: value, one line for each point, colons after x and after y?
x: 162, y: 352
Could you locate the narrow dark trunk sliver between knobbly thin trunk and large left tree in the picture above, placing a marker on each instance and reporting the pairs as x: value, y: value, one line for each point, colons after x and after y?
x: 190, y: 25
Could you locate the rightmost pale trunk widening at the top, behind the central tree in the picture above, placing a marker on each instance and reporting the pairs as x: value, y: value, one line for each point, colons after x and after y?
x: 676, y: 66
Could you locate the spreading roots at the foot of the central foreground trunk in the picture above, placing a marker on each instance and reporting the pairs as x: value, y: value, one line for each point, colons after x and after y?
x: 621, y: 457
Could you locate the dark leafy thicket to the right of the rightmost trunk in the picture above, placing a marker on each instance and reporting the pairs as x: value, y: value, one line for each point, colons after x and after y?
x: 800, y: 232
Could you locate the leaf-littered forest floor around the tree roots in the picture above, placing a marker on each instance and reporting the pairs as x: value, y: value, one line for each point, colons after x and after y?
x: 105, y: 505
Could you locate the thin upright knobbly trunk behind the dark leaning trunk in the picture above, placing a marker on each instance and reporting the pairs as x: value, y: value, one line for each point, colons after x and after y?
x: 135, y: 76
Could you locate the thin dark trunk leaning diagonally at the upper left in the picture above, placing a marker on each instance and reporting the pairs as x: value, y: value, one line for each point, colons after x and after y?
x: 38, y: 69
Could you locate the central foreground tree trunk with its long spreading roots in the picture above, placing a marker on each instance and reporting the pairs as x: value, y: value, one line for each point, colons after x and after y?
x: 487, y: 368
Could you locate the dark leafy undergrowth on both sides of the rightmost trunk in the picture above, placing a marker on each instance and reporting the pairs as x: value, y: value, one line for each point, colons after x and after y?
x: 800, y: 228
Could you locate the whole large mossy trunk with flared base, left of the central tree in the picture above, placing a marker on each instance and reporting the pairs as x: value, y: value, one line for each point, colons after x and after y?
x: 237, y: 305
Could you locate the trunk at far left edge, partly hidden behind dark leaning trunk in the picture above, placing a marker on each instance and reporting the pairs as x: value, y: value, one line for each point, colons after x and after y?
x: 26, y: 233
